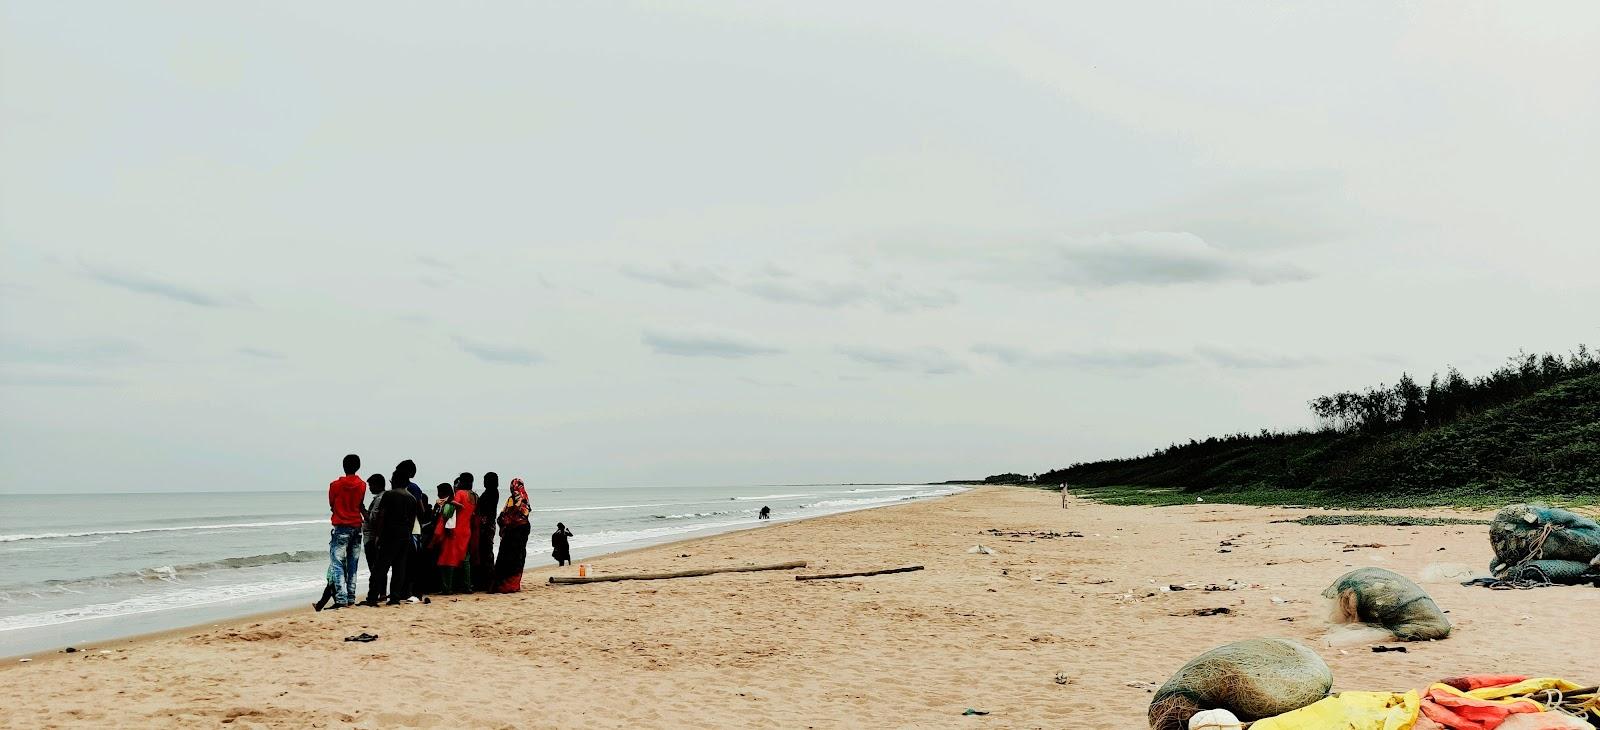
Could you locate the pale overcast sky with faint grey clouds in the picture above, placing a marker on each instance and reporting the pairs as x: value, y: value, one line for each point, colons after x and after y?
x: 726, y: 243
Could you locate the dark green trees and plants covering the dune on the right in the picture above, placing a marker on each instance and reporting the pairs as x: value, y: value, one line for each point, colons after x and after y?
x: 1527, y: 433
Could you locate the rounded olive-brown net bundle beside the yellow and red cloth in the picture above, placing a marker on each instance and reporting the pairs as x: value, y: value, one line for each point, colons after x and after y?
x: 1254, y: 680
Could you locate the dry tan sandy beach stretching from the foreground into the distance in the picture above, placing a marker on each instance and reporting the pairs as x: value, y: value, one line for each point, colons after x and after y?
x: 1046, y: 633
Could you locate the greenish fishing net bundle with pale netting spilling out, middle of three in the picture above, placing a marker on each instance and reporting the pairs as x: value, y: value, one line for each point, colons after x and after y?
x: 1390, y: 601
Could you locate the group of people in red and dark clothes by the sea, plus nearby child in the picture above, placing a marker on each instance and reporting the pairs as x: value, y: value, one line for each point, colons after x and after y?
x: 417, y: 548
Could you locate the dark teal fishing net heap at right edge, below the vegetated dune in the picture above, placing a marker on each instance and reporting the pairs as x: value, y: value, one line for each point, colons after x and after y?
x: 1535, y: 542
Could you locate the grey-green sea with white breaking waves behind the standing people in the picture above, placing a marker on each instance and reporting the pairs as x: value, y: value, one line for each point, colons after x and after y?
x: 84, y: 569
